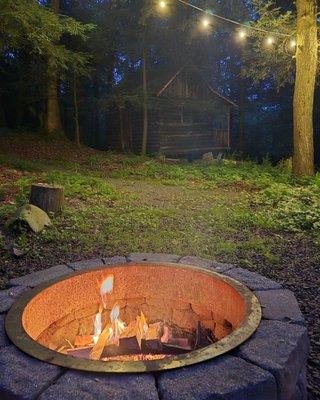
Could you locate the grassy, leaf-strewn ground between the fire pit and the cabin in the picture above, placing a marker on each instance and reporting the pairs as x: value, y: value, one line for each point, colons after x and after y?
x: 255, y: 216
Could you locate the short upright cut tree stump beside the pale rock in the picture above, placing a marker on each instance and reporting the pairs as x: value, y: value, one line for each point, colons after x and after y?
x: 49, y: 198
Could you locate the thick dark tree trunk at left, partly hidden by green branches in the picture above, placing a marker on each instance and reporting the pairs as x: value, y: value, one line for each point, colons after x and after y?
x: 53, y: 117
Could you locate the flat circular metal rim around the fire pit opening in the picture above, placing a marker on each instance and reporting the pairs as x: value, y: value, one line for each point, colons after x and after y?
x: 24, y: 342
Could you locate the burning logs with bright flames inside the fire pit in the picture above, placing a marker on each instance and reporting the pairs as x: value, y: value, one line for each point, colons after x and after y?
x: 137, y: 341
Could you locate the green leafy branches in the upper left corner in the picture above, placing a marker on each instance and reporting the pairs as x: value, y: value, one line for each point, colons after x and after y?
x: 26, y: 24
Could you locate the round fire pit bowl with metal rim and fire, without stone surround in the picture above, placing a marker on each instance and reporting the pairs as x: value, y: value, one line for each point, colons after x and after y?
x: 134, y: 317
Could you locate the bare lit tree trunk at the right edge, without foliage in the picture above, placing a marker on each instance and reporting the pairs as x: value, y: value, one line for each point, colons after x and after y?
x: 306, y: 66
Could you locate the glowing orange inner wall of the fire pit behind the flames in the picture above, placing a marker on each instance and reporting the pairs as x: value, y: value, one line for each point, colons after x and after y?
x: 181, y: 296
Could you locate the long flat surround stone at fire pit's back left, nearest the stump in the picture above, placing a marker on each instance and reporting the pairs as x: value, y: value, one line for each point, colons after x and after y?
x: 36, y: 278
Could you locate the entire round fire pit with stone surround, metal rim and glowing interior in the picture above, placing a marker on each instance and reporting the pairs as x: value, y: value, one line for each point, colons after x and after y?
x: 269, y: 365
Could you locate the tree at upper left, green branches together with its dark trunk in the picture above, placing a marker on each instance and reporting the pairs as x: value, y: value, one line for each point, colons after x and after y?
x: 31, y: 31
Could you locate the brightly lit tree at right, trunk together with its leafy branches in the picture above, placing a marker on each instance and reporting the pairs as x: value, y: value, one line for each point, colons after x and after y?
x: 292, y: 59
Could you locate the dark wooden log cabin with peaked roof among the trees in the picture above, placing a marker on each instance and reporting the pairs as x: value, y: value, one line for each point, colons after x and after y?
x: 187, y: 117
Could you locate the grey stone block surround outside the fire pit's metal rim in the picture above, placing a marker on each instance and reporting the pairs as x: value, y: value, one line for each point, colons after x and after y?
x: 271, y: 365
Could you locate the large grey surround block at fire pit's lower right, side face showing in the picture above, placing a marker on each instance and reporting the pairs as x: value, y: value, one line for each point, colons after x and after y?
x: 280, y: 348
